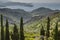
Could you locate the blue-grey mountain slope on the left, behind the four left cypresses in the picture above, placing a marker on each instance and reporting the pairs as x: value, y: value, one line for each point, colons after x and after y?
x: 14, y: 14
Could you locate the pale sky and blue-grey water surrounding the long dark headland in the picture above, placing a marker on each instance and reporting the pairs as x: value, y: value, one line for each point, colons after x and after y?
x: 52, y: 4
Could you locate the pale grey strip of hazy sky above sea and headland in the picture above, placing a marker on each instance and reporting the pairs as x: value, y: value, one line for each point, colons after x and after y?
x: 34, y: 1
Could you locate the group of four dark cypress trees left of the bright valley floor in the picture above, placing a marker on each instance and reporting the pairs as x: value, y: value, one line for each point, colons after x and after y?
x: 15, y: 34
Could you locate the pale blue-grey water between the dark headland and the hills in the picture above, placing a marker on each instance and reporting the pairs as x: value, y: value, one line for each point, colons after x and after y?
x: 37, y: 5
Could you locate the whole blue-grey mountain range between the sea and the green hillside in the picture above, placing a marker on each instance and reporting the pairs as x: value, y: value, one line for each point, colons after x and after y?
x: 14, y: 15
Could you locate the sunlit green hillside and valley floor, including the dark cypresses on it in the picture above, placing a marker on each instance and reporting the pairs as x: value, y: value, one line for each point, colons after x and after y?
x: 33, y: 29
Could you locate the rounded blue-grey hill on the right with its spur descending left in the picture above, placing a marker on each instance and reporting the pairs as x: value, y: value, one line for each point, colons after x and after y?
x: 42, y: 12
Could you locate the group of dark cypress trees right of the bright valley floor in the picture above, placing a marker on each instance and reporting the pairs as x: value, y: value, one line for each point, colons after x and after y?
x: 56, y: 35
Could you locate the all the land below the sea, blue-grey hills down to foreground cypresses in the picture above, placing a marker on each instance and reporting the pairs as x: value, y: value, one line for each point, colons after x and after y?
x: 40, y: 24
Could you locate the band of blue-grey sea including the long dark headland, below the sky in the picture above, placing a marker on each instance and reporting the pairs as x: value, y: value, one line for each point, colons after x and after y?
x: 29, y: 6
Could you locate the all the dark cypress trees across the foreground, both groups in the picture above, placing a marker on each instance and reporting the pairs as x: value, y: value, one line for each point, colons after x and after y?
x: 15, y: 35
